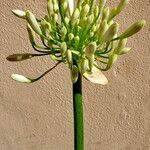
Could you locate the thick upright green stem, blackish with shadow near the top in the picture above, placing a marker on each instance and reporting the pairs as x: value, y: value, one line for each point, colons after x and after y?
x: 78, y: 115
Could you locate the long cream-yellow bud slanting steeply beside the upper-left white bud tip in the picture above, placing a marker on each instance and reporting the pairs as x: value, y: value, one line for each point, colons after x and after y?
x: 33, y: 23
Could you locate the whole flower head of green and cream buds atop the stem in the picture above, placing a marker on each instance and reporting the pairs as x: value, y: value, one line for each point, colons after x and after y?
x: 81, y: 34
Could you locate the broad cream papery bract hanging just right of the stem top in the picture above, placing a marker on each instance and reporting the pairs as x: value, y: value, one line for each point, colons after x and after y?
x: 96, y: 76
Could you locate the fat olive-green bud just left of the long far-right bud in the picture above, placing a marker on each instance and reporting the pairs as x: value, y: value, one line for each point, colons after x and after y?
x: 111, y: 32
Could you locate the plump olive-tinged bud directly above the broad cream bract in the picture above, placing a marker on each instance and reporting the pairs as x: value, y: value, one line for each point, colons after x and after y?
x: 90, y: 50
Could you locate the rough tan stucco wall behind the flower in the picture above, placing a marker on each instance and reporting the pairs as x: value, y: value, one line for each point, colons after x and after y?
x: 39, y: 116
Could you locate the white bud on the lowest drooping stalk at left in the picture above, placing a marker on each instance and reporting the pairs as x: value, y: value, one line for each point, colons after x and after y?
x: 20, y: 78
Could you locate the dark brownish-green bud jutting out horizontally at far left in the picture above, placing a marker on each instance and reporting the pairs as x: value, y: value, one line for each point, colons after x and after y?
x: 19, y: 57
